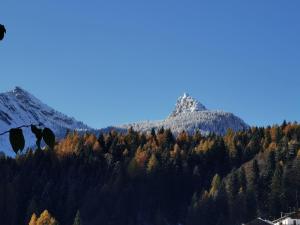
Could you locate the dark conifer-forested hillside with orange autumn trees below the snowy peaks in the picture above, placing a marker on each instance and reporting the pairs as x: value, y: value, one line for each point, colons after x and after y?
x: 154, y: 178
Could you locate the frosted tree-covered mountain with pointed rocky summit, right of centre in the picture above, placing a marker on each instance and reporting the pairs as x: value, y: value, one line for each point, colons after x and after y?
x: 190, y: 115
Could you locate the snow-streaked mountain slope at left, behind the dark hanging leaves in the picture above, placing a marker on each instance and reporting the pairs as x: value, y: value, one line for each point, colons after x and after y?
x: 18, y: 107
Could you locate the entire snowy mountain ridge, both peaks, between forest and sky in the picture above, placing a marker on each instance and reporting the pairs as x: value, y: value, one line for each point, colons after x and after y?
x: 19, y: 107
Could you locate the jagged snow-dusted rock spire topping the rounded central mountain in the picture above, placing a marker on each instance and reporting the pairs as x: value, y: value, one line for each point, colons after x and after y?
x: 186, y: 104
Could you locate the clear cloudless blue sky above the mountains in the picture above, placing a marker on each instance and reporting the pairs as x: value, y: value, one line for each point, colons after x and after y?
x: 111, y: 62
